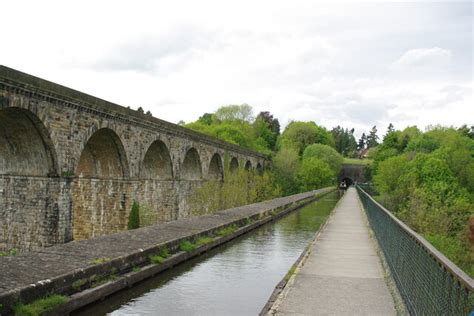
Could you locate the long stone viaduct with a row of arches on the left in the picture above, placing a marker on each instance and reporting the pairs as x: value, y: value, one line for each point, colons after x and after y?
x: 71, y: 165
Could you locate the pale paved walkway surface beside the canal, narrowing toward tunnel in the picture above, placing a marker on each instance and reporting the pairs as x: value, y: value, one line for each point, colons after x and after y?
x: 342, y: 275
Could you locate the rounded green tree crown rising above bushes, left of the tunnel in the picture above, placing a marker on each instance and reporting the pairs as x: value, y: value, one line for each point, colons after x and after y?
x: 299, y: 135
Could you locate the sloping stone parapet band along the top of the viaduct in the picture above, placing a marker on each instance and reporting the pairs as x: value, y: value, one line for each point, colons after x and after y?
x: 22, y: 83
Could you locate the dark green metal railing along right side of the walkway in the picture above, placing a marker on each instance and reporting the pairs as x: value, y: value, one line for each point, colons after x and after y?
x: 429, y: 283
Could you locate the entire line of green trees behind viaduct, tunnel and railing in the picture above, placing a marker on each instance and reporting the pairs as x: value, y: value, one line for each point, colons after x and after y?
x: 425, y: 178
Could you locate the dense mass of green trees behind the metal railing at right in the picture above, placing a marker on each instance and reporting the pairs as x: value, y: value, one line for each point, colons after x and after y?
x: 426, y: 179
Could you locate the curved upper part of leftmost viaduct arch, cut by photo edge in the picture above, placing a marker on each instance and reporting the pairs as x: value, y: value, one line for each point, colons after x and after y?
x: 25, y: 145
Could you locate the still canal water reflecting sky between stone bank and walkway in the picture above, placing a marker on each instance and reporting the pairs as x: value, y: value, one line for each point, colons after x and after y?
x: 234, y: 279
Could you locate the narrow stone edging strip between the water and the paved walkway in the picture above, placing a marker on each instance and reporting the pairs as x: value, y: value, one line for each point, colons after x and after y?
x: 278, y: 292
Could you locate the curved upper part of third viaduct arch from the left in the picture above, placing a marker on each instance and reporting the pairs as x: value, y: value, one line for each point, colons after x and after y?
x: 157, y: 162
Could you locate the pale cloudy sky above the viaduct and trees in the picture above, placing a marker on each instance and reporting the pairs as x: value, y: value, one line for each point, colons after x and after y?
x: 355, y: 64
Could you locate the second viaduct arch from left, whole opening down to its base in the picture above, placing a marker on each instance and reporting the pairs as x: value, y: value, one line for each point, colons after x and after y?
x: 100, y: 194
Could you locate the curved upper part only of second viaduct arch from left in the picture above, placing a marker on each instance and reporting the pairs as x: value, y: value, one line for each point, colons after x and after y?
x: 103, y: 156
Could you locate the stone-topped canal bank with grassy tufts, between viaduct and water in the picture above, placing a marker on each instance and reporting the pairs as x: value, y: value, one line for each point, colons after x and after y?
x: 89, y: 270
